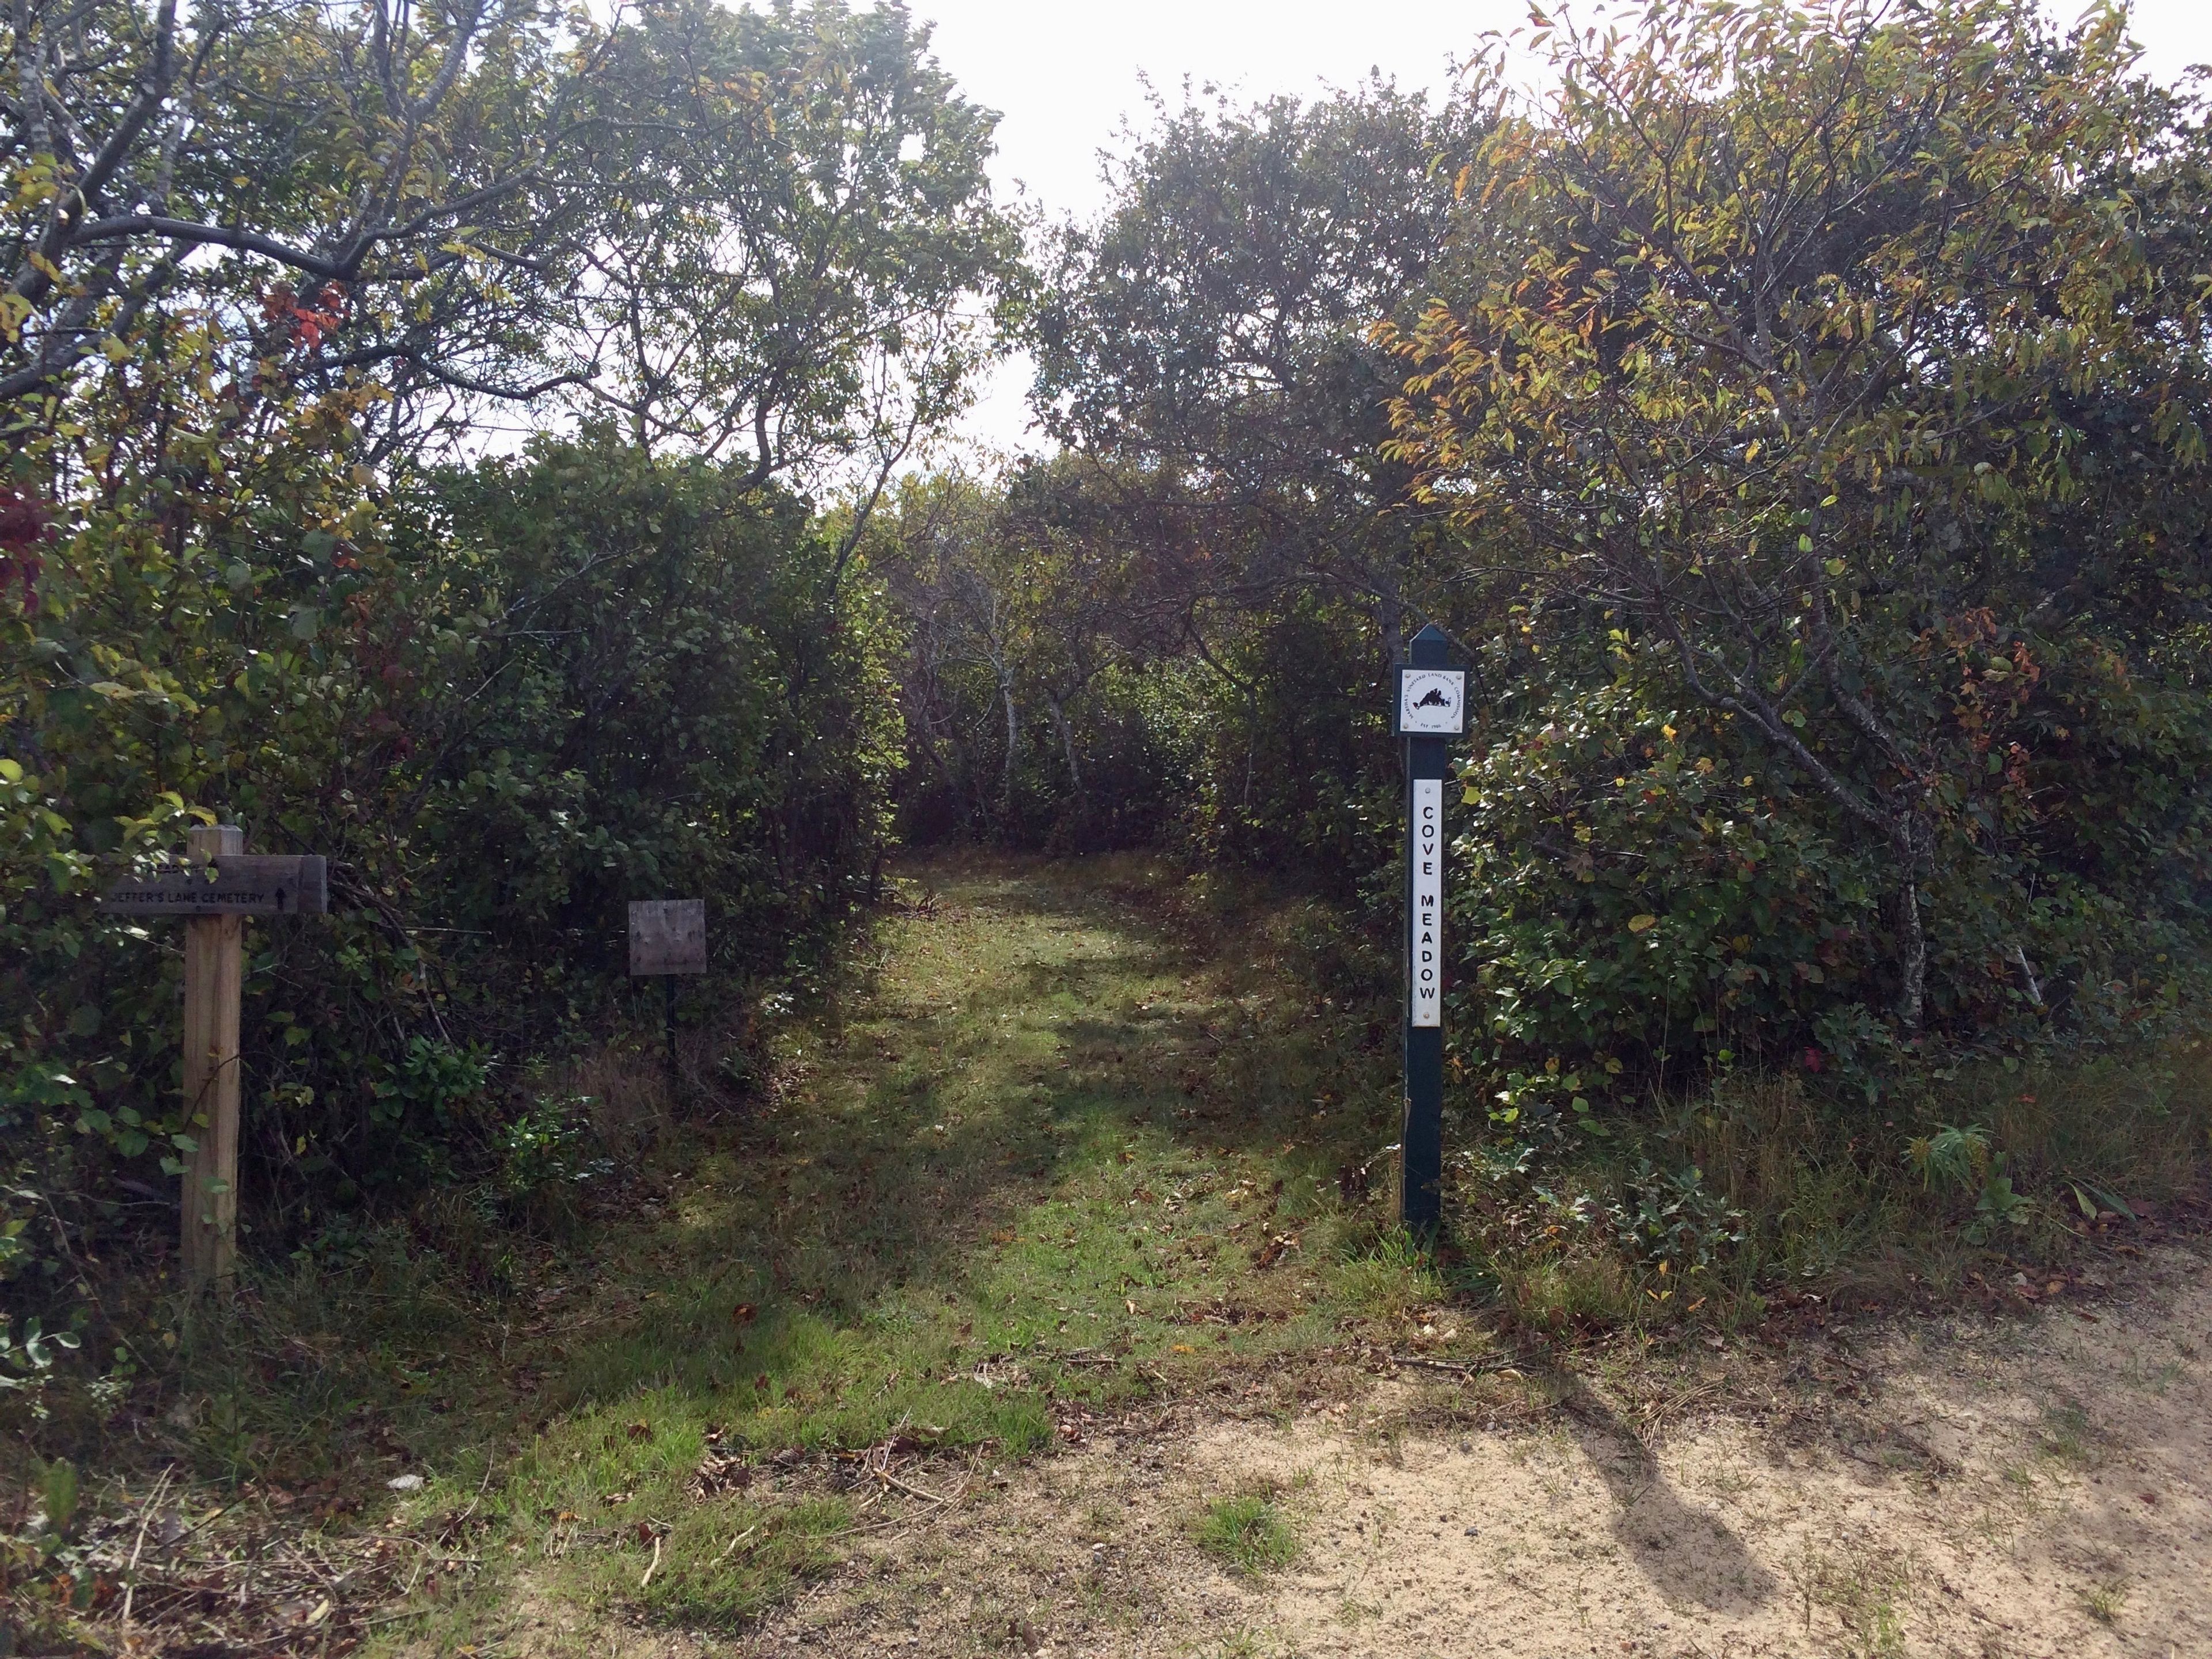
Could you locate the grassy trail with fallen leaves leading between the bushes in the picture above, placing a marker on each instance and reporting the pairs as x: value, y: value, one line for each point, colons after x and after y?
x: 1041, y: 1162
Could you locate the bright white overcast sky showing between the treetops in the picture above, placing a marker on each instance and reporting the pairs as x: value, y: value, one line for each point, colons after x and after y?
x: 1067, y: 76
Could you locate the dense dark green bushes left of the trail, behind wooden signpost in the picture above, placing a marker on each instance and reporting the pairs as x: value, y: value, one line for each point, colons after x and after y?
x: 503, y: 707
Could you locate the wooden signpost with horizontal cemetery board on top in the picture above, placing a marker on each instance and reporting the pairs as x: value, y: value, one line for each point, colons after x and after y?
x: 218, y: 888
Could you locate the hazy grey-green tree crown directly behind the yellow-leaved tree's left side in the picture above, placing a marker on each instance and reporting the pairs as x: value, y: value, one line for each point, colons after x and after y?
x: 1213, y: 331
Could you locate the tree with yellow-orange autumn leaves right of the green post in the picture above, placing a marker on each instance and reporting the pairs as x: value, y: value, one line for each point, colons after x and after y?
x: 1853, y: 364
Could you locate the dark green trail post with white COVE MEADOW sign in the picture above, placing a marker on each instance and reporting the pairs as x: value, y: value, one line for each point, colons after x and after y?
x: 1430, y: 707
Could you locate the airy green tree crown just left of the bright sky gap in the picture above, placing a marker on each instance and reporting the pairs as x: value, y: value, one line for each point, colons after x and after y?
x: 797, y: 258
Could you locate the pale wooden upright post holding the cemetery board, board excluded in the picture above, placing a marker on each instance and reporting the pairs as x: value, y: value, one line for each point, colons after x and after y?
x: 213, y: 988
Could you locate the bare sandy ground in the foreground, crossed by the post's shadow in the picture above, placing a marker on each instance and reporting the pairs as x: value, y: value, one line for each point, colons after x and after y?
x: 2005, y: 1490
